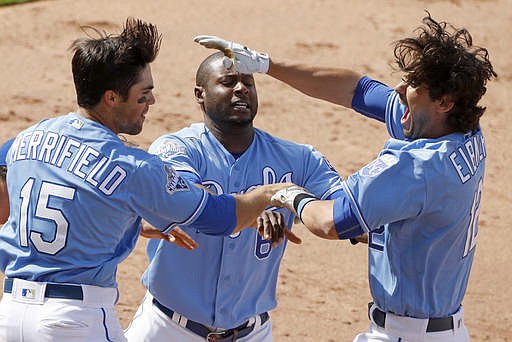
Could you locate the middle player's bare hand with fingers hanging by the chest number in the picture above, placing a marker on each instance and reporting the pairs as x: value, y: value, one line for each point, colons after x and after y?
x: 271, y: 226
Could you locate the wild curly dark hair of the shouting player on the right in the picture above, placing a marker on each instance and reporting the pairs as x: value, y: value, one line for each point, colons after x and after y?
x: 445, y: 61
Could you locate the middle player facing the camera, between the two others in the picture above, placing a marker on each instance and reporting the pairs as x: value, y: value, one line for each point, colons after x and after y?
x: 224, y: 289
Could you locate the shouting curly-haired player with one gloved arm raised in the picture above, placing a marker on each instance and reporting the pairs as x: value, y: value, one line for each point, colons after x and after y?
x: 419, y: 201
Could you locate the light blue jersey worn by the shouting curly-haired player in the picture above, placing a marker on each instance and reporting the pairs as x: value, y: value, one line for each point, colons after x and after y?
x: 420, y: 202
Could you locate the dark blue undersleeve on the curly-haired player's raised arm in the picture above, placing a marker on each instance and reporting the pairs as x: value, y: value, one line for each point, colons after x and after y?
x: 370, y: 98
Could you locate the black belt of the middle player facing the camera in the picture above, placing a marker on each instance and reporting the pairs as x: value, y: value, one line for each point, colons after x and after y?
x: 202, y: 330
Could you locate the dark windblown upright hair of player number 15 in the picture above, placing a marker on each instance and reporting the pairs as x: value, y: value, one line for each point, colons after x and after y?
x: 112, y: 62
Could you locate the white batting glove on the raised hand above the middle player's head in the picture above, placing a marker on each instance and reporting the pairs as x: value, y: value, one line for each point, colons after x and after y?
x: 246, y: 61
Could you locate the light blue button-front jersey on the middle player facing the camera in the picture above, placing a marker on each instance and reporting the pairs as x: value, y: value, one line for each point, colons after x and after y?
x: 229, y: 279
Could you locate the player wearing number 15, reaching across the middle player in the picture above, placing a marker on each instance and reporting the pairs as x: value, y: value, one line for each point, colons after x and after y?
x: 78, y: 195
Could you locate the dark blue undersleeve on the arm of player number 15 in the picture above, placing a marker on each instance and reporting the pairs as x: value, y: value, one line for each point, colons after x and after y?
x: 218, y: 216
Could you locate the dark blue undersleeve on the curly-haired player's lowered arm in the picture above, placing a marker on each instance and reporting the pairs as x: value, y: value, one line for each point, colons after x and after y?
x: 345, y: 221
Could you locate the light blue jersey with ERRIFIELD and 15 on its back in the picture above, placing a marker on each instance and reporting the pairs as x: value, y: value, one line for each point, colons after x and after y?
x: 77, y: 195
